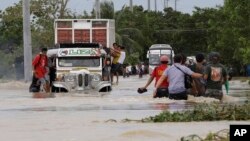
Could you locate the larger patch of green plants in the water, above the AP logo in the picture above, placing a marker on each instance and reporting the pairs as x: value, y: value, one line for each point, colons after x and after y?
x: 205, y: 112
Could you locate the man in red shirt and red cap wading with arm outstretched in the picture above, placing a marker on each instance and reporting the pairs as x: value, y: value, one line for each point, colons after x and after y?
x: 157, y: 72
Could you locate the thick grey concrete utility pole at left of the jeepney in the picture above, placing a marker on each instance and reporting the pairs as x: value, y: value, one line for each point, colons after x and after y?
x: 27, y: 41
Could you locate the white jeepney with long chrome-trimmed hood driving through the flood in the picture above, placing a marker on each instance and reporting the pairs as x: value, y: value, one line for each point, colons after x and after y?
x: 78, y: 68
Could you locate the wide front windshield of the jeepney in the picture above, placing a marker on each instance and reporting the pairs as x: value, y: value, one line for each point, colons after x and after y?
x: 79, y: 61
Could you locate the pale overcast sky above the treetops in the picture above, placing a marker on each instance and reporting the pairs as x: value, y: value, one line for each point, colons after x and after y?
x: 186, y: 6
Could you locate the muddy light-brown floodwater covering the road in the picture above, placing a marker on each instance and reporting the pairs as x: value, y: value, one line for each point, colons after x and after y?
x: 100, y: 116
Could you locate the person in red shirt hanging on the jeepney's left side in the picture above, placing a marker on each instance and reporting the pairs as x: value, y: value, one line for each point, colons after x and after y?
x: 40, y: 69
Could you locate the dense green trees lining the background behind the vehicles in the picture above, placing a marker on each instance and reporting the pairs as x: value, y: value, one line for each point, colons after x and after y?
x: 224, y: 29
